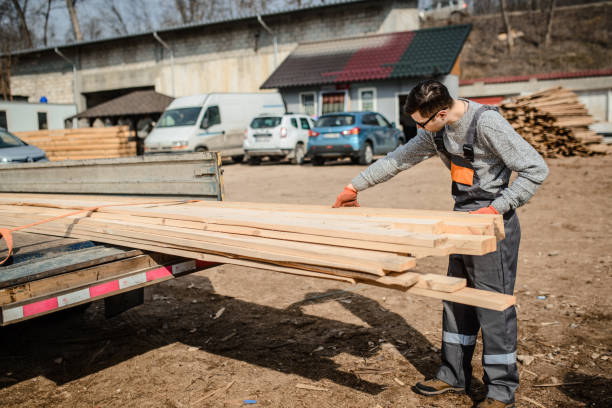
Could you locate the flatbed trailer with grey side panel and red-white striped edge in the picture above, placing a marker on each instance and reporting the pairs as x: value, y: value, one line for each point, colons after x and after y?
x: 47, y: 274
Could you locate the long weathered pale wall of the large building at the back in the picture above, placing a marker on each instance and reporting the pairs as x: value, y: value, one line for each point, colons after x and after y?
x: 229, y: 57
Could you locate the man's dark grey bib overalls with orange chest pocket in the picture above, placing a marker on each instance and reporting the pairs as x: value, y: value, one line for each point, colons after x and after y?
x: 494, y: 272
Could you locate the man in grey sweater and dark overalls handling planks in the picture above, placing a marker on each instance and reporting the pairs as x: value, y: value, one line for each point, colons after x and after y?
x: 481, y: 150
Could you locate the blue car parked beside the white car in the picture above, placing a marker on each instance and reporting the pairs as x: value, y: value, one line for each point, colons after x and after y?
x: 358, y: 135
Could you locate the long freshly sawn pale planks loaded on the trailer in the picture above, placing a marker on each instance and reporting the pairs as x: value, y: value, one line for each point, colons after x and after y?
x: 374, y: 246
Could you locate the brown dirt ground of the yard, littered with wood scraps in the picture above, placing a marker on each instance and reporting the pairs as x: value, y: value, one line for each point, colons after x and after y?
x: 351, y: 346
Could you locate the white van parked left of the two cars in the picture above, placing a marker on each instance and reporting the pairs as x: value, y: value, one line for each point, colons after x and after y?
x: 215, y: 122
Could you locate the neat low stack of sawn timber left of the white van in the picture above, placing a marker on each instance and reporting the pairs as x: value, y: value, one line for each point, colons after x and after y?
x: 83, y: 143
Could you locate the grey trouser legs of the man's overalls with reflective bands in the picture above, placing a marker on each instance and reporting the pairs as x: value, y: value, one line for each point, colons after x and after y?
x: 493, y: 272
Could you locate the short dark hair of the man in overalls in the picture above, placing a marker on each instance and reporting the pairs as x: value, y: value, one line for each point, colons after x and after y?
x: 428, y: 97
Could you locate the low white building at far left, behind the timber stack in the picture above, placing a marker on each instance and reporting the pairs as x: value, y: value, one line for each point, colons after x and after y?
x: 23, y: 116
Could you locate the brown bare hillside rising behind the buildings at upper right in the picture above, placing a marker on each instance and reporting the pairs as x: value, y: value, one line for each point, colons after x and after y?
x: 579, y: 42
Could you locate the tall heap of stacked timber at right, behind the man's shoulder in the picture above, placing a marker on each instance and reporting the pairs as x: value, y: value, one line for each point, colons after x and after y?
x: 554, y: 122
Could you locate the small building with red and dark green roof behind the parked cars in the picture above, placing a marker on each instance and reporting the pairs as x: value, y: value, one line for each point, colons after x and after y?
x: 373, y: 72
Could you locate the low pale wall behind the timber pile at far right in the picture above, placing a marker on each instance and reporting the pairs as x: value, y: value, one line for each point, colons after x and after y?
x: 594, y: 92
